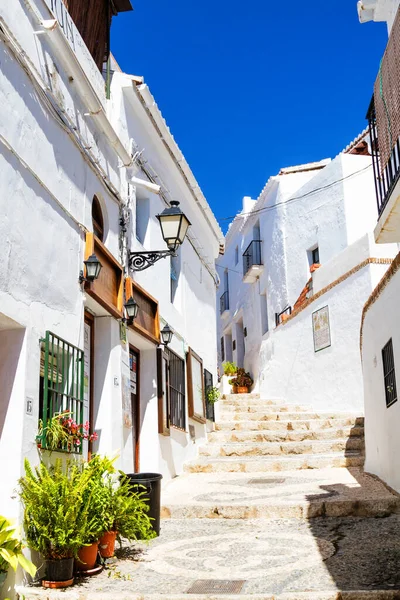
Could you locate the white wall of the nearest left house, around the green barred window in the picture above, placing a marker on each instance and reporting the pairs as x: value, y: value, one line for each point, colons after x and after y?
x: 46, y: 191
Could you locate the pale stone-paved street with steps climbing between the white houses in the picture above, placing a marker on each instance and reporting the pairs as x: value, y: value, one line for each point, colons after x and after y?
x: 277, y: 505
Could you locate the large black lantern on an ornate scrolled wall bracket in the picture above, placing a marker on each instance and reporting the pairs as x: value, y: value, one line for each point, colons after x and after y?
x: 174, y: 225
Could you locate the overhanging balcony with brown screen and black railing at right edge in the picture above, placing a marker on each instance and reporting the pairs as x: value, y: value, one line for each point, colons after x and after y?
x: 384, y: 127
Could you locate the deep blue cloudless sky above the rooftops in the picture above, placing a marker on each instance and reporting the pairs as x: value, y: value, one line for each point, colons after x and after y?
x: 250, y: 87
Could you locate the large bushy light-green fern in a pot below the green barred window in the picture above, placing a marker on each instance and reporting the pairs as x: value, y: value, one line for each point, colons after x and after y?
x: 57, y: 522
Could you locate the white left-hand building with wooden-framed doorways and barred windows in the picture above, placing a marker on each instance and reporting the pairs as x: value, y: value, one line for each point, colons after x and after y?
x: 70, y: 188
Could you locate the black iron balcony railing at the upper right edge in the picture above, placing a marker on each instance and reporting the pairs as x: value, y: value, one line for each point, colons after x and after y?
x: 386, y: 178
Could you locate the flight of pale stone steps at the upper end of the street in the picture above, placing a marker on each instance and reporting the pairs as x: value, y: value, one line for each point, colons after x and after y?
x: 257, y: 435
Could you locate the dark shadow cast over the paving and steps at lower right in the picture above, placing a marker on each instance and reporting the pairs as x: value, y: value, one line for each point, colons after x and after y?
x: 355, y: 519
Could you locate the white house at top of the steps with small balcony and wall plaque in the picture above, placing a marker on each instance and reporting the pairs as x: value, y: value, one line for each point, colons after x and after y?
x: 298, y: 267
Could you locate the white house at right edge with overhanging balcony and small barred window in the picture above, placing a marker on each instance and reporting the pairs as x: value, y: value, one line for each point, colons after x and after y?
x: 380, y: 332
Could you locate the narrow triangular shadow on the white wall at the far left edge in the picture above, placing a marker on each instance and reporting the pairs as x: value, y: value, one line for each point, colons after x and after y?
x: 11, y: 342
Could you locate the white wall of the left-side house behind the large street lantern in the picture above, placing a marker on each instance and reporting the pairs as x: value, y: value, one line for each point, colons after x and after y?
x: 192, y: 314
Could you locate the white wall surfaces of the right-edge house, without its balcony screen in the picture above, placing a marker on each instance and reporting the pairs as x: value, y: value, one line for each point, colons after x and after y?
x: 380, y: 336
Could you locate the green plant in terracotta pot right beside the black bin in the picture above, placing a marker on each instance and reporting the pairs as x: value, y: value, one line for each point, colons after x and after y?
x: 124, y: 515
